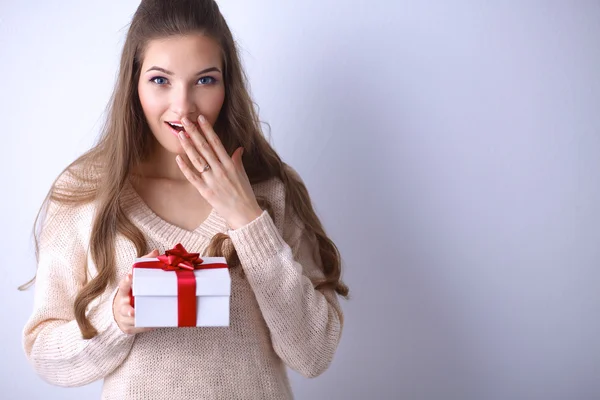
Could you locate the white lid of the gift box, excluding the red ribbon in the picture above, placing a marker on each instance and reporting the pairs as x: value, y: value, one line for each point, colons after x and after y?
x: 156, y: 282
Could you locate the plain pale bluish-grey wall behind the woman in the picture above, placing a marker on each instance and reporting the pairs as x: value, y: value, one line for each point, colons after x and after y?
x: 451, y: 149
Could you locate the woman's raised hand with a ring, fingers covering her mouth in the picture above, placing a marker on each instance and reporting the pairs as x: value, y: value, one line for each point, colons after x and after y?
x: 220, y: 179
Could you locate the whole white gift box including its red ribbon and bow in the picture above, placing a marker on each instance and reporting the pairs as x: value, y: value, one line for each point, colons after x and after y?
x: 180, y: 289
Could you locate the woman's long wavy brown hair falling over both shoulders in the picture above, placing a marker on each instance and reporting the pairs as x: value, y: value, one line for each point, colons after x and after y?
x: 125, y: 142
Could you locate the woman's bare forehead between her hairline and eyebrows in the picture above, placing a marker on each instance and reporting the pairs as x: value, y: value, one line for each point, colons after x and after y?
x: 182, y: 53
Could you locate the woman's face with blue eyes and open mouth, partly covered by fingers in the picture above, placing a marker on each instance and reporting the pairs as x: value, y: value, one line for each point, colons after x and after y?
x: 181, y: 76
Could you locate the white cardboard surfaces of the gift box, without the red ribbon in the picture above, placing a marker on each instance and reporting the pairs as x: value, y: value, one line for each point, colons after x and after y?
x: 156, y: 302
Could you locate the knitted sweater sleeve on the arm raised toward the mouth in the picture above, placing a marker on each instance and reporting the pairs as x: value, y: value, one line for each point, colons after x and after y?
x: 305, y: 323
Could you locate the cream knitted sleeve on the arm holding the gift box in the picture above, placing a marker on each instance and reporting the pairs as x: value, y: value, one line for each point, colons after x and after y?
x: 52, y: 340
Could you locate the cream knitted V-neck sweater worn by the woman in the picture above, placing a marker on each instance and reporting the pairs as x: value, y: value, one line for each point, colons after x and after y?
x: 277, y: 317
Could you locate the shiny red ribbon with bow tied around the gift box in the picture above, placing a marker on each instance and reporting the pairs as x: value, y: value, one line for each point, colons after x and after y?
x: 184, y: 264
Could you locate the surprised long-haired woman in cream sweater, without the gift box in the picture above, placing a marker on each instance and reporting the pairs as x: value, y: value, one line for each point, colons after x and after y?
x: 182, y: 160
